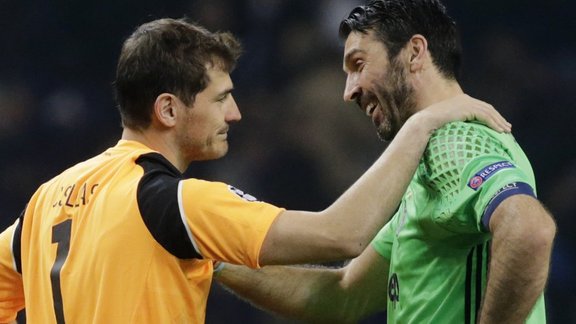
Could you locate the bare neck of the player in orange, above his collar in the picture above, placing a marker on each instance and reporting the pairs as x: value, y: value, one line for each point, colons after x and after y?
x: 157, y: 141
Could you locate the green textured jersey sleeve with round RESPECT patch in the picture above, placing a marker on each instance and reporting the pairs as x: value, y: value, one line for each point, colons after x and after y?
x: 472, y: 170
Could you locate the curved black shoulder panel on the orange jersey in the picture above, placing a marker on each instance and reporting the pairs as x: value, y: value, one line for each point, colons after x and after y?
x: 158, y: 203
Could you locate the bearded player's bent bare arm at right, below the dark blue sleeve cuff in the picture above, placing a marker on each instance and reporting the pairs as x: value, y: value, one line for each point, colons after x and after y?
x: 523, y: 233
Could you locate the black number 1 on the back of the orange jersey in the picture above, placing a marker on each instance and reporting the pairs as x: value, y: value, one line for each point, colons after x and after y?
x: 61, y: 235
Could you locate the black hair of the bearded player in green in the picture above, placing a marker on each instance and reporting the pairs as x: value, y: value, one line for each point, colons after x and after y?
x: 396, y: 21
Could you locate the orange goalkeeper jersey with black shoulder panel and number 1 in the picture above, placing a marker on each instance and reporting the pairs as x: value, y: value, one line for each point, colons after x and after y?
x: 124, y: 238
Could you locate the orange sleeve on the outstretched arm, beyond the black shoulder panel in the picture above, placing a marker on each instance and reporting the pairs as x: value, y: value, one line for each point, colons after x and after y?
x: 225, y: 223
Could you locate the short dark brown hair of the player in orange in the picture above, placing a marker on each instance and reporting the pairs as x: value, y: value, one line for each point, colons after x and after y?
x: 168, y: 55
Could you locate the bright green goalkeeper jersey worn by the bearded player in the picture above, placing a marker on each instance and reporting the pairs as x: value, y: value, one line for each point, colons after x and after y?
x: 437, y: 243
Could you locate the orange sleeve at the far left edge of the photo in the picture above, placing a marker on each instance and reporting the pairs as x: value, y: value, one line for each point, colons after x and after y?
x: 11, y: 289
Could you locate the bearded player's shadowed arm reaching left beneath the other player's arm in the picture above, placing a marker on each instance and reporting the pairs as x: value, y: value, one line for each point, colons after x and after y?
x: 318, y: 295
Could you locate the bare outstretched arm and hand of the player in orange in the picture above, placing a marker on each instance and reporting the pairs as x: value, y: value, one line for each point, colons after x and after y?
x: 343, y: 230
